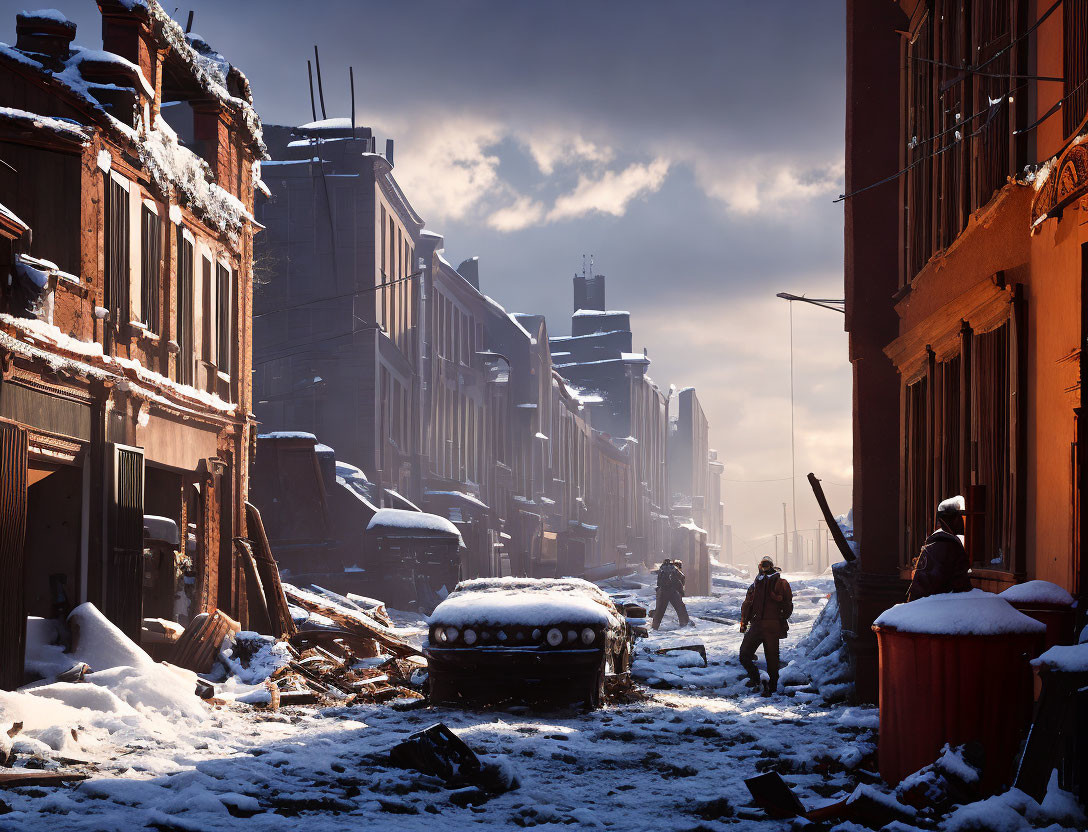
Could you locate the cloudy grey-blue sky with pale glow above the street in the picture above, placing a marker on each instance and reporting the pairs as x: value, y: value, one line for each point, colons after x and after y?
x: 694, y: 147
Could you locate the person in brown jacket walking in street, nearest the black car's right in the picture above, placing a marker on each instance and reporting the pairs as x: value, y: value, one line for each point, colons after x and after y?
x: 765, y: 618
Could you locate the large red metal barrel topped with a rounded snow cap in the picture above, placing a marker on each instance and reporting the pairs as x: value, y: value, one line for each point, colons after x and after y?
x: 955, y: 669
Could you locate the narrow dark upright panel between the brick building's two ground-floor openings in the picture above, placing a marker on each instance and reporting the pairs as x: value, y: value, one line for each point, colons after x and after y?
x: 126, y: 544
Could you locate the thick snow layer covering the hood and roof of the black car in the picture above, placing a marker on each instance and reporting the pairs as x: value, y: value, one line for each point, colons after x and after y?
x: 526, y: 602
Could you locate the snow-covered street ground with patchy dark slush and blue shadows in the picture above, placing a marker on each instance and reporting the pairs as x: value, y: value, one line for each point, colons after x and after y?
x: 675, y: 760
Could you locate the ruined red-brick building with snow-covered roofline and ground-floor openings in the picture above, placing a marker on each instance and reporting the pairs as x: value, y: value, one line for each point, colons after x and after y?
x: 125, y: 336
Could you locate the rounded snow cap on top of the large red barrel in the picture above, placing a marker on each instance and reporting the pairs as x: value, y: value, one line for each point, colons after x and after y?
x: 976, y: 613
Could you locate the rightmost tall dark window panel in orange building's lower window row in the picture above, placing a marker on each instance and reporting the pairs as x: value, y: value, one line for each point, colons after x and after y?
x: 993, y: 445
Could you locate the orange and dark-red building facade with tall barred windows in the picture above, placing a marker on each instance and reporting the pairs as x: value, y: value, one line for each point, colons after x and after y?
x: 966, y: 290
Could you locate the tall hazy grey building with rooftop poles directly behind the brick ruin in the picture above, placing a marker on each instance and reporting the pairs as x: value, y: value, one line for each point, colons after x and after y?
x: 337, y: 315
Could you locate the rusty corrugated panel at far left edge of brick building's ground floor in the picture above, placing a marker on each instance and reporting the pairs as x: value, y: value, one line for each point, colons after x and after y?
x: 14, y: 457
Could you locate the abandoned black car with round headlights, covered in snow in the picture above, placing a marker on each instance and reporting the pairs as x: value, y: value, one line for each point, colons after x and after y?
x: 533, y: 639
